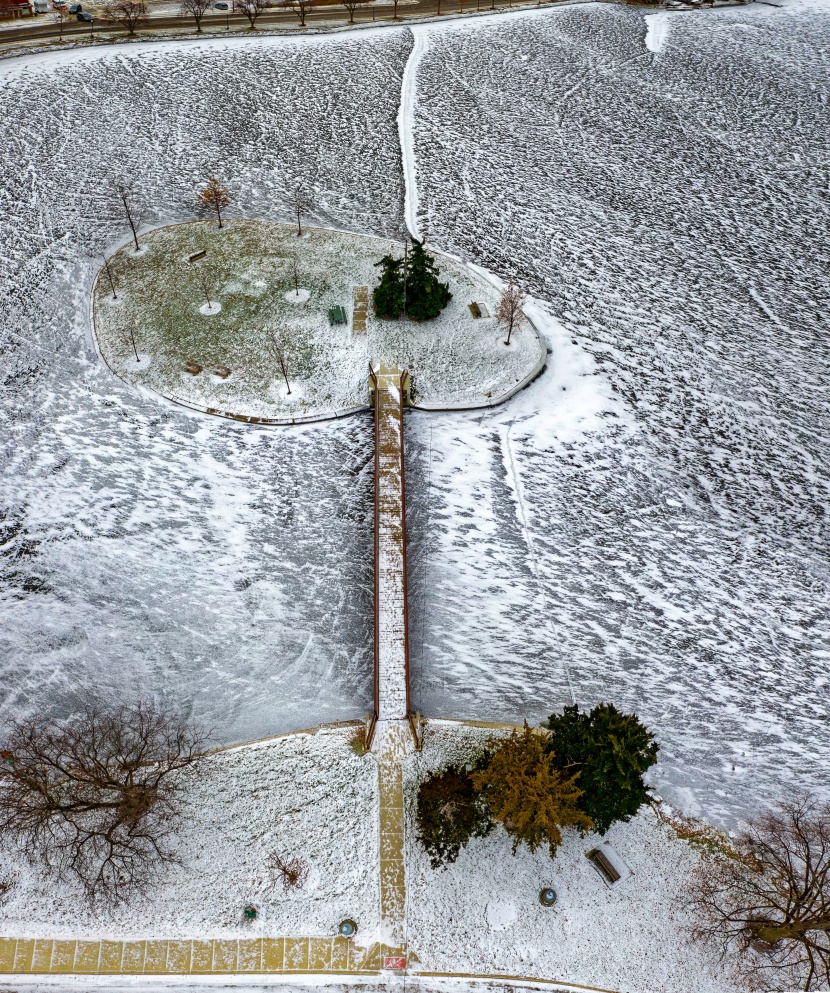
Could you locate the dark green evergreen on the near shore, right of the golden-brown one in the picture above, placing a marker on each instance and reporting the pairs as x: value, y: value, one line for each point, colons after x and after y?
x: 610, y: 751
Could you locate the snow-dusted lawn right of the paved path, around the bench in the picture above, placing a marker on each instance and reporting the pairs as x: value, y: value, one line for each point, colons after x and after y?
x: 482, y: 913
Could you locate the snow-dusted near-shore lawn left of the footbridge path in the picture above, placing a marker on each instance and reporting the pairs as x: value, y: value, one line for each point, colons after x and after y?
x: 305, y: 795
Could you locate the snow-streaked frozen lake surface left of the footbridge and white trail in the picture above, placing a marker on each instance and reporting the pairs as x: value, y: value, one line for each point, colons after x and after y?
x: 144, y: 550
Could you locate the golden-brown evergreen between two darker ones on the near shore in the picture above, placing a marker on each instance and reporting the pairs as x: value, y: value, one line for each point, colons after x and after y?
x: 522, y: 788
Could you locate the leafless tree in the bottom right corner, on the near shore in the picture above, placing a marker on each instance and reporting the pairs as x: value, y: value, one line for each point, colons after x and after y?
x: 768, y: 895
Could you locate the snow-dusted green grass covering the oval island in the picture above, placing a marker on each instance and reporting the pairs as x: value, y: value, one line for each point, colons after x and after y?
x: 249, y: 275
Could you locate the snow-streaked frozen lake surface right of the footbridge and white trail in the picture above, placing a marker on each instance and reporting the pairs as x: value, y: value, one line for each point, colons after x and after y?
x: 673, y: 209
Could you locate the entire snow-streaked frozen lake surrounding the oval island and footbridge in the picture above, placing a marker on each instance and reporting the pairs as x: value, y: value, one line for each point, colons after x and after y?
x: 653, y: 533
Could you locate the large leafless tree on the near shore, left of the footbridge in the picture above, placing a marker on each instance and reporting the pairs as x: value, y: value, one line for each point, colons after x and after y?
x: 98, y: 797
